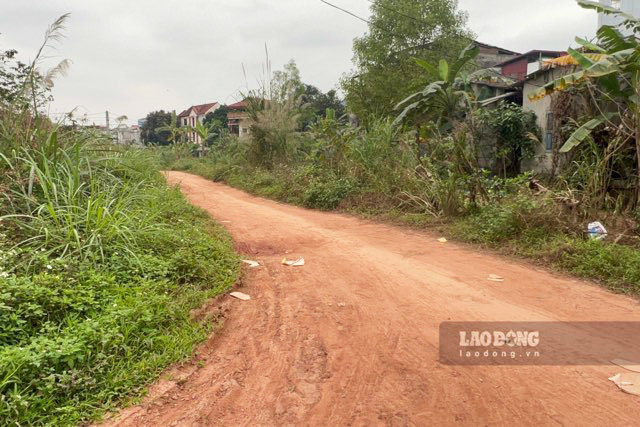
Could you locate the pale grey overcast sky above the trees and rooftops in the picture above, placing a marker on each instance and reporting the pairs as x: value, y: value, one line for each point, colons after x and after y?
x: 132, y: 57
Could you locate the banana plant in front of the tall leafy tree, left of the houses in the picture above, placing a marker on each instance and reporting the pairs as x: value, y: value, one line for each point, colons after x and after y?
x: 441, y: 101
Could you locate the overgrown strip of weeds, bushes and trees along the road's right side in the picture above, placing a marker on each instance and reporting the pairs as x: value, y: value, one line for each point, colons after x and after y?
x: 423, y: 162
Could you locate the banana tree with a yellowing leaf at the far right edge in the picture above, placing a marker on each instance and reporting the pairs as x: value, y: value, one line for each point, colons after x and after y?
x: 611, y: 73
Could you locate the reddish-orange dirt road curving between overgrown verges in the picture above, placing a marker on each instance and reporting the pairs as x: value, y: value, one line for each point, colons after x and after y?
x: 351, y: 338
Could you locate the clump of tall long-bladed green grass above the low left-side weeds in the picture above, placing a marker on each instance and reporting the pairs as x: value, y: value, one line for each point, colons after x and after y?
x: 71, y: 204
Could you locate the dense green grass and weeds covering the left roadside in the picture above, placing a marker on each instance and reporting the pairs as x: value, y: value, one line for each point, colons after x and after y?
x: 101, y: 262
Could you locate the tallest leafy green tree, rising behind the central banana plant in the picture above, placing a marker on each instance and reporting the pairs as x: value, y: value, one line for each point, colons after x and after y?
x: 400, y: 30
